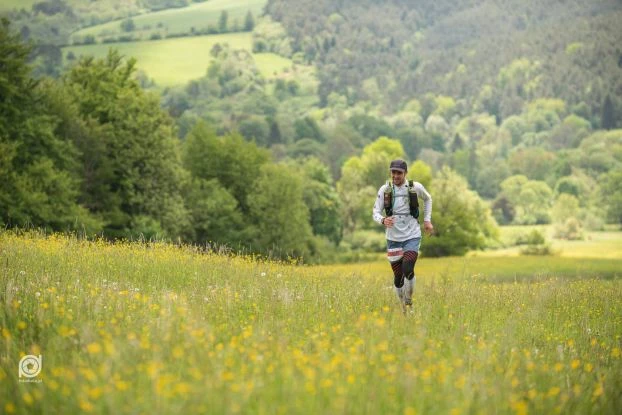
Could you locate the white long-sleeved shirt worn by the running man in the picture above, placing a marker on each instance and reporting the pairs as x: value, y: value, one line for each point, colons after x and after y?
x: 405, y: 226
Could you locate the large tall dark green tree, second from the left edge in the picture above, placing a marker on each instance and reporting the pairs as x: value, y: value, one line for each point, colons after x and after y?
x: 138, y: 172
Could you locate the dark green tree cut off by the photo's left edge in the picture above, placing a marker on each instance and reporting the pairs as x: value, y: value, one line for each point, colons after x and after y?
x: 38, y: 178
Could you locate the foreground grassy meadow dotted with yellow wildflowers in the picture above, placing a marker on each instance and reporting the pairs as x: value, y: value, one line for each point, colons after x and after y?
x: 154, y: 328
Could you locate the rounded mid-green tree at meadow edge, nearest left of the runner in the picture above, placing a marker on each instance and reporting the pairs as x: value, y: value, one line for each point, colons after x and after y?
x: 277, y: 208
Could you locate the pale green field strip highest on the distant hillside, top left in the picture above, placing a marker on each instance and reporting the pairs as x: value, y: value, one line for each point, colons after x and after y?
x: 181, y: 20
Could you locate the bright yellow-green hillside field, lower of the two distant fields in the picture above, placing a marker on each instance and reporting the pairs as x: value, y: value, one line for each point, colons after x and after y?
x: 176, y: 61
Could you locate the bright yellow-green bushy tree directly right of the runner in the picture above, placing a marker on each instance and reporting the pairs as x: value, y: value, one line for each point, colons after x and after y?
x: 462, y: 222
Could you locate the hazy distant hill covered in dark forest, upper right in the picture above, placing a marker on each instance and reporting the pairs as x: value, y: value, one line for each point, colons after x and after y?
x: 487, y: 54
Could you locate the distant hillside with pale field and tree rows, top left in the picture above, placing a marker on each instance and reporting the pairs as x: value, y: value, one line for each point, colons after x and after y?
x: 53, y: 24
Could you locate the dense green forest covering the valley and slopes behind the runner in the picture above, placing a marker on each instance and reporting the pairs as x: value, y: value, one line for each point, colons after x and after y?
x: 509, y: 112
